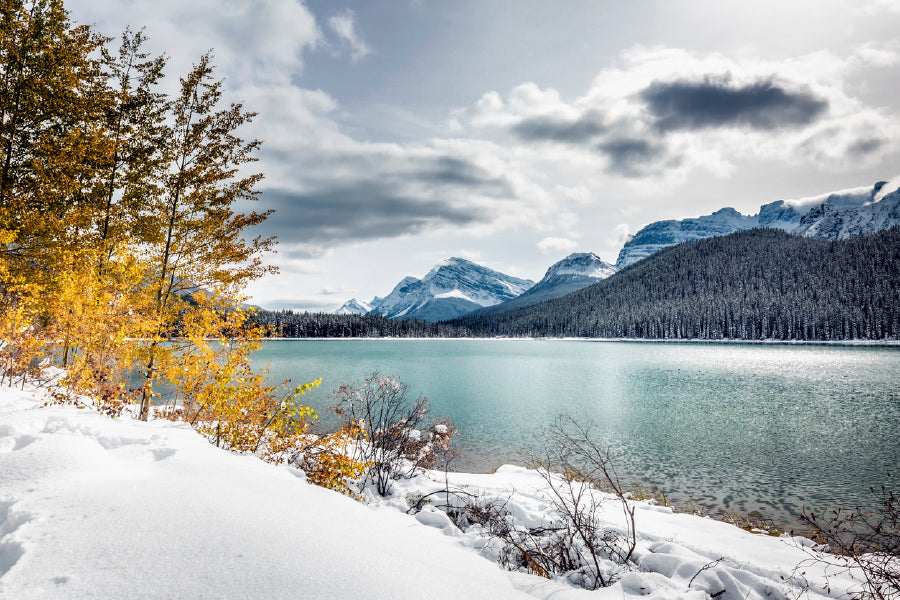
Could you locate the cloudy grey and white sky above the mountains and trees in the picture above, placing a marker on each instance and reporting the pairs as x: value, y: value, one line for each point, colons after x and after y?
x: 398, y: 133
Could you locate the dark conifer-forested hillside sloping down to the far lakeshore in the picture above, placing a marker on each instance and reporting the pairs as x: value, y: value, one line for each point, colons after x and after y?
x: 757, y: 284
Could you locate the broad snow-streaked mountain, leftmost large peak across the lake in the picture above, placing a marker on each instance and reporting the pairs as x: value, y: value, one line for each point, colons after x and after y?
x: 452, y: 288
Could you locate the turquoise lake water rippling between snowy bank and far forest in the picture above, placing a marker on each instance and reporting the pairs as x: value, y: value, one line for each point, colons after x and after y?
x: 746, y: 427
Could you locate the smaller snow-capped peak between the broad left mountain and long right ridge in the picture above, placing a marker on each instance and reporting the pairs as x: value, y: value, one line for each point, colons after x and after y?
x: 572, y: 273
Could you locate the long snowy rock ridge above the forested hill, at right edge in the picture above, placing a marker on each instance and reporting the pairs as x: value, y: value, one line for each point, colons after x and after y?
x: 845, y: 213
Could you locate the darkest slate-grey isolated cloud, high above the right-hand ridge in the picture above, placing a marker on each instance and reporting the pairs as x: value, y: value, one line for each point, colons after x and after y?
x: 713, y: 103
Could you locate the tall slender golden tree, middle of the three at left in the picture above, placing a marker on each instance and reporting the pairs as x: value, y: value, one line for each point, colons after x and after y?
x: 130, y: 112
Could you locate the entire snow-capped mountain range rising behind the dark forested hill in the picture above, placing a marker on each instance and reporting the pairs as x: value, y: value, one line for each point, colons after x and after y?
x: 457, y: 287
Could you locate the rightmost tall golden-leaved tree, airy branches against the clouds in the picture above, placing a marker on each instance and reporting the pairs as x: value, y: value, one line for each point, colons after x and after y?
x: 193, y: 228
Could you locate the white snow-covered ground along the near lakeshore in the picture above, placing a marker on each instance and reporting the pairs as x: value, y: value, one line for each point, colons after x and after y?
x: 92, y: 507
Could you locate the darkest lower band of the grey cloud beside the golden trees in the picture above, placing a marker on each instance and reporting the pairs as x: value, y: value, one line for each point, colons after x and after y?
x: 356, y: 211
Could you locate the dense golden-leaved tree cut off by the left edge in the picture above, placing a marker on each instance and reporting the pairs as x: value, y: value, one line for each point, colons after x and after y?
x: 50, y: 138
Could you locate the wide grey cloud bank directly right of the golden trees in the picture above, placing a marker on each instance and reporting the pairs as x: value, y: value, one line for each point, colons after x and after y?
x: 352, y: 197
